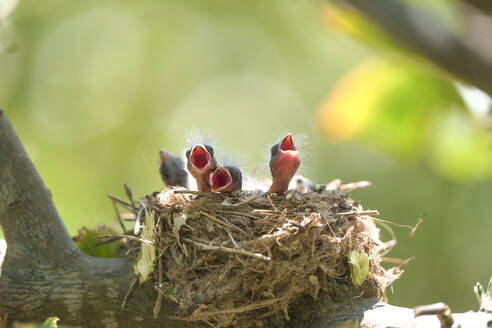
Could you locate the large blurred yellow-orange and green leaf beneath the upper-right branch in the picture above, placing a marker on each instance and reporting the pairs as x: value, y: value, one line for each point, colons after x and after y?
x: 387, y: 105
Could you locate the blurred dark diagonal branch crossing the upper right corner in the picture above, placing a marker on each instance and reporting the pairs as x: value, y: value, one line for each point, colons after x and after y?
x: 414, y: 29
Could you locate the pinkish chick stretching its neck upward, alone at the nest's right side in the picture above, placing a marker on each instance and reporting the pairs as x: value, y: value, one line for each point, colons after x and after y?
x: 284, y: 162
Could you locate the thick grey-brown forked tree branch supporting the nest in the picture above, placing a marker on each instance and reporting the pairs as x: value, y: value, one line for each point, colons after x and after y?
x: 42, y: 272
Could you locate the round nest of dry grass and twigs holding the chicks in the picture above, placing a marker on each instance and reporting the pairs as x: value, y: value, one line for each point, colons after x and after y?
x: 245, y: 260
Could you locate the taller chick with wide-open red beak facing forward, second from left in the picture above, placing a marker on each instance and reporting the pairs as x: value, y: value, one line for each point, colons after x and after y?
x: 201, y: 163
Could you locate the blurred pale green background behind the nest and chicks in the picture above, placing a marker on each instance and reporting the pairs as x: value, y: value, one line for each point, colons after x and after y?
x: 95, y: 88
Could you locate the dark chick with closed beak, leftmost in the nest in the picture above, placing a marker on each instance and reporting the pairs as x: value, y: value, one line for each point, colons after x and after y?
x: 172, y: 170
